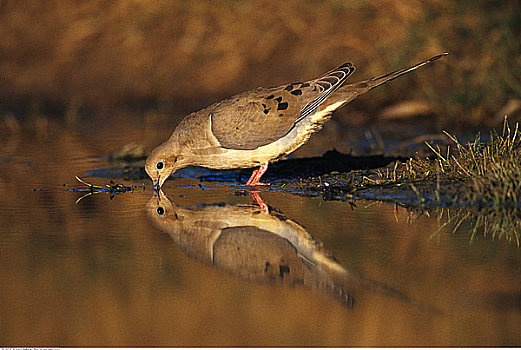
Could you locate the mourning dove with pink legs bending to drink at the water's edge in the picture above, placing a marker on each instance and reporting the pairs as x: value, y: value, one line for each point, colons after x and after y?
x: 259, y: 126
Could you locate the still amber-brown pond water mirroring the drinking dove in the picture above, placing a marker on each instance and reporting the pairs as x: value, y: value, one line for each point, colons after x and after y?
x: 121, y: 271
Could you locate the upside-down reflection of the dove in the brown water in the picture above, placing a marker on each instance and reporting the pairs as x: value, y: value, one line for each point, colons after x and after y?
x: 252, y: 243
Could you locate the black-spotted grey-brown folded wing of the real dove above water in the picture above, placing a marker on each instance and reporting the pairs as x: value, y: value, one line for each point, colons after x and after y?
x: 264, y: 115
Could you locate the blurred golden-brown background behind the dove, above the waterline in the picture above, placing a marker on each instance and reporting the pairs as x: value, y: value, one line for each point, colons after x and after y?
x: 82, y: 59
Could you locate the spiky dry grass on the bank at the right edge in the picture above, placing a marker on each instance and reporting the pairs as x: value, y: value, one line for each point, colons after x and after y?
x: 483, y: 174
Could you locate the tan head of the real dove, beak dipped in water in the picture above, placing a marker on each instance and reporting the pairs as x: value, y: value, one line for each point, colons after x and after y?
x: 162, y: 162
